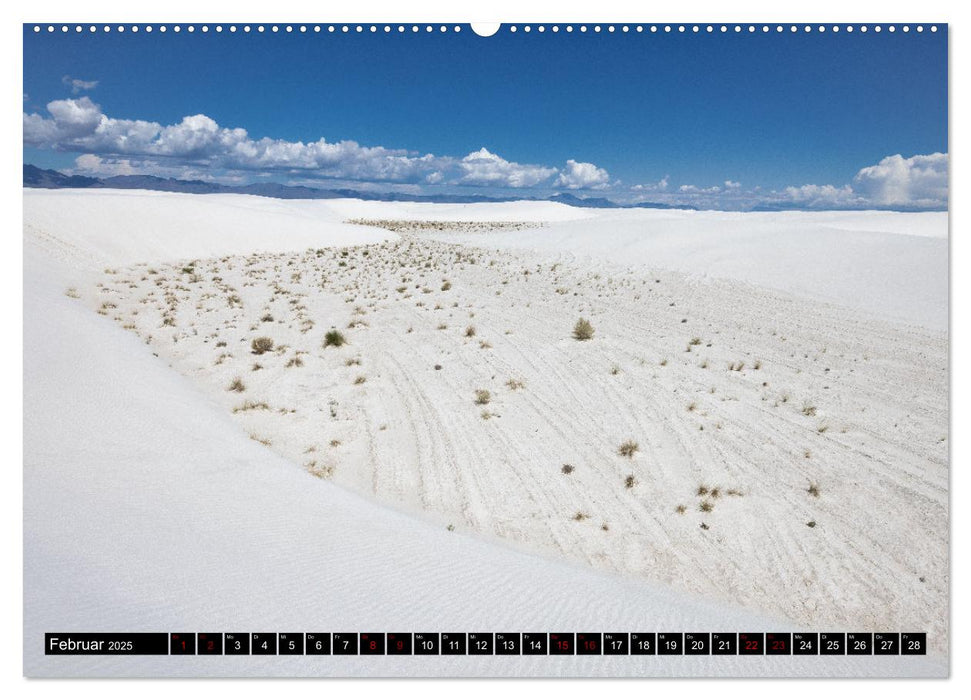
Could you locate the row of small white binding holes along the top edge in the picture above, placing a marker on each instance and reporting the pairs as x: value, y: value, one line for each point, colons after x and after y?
x: 414, y: 28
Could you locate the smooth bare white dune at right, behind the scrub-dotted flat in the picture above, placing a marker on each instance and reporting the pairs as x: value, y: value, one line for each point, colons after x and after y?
x: 890, y: 264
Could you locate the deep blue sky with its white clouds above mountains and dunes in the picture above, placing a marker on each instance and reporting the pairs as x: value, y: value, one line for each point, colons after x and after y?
x: 727, y: 120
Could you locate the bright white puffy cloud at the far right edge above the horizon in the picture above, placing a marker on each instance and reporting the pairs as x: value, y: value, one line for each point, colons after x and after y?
x: 897, y: 181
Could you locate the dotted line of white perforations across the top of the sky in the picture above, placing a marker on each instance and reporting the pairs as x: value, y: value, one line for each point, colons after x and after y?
x: 513, y: 28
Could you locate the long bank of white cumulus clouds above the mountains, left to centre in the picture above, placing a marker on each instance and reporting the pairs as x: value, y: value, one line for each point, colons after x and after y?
x: 79, y: 125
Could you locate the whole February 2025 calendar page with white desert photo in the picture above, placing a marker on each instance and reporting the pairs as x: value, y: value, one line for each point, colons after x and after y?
x: 538, y: 349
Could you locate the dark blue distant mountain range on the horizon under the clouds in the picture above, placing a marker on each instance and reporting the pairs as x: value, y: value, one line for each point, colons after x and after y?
x: 53, y: 179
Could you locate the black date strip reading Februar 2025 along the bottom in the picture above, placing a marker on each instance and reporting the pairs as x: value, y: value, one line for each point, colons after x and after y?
x: 487, y: 643
